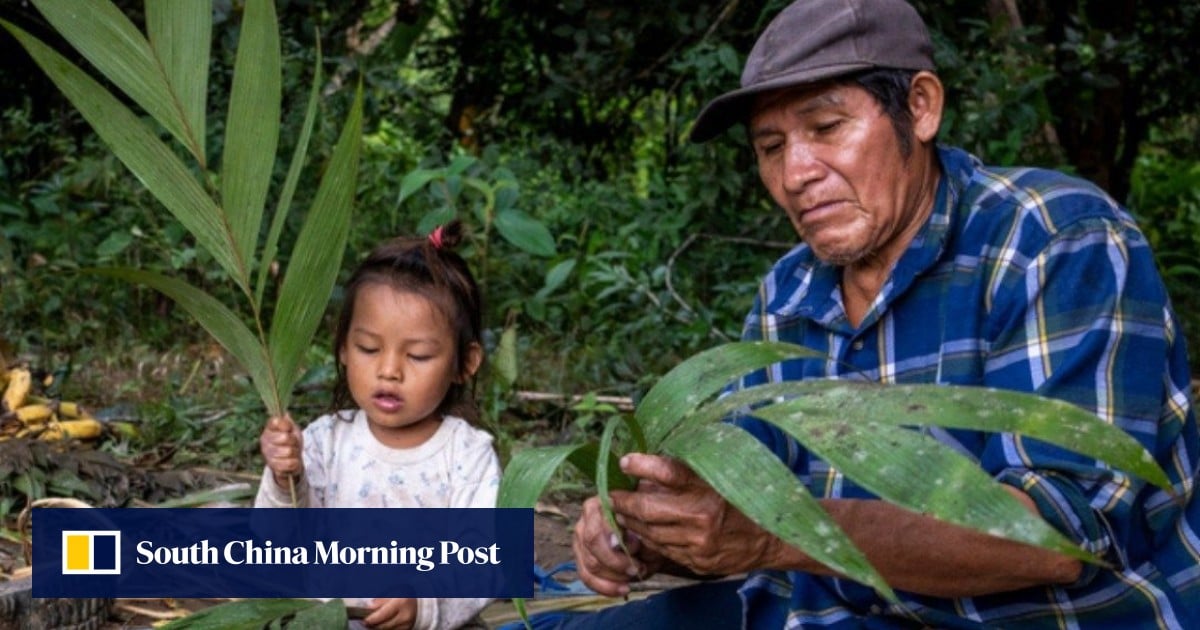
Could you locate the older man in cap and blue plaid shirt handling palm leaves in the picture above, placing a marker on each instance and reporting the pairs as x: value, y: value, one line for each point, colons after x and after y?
x: 919, y: 265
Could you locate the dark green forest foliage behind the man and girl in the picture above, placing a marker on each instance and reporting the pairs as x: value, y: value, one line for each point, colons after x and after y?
x: 575, y: 115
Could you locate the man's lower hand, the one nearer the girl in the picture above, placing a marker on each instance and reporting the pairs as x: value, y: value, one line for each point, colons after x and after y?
x: 601, y: 561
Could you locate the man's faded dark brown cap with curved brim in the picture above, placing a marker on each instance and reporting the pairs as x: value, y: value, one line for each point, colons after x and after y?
x: 814, y: 40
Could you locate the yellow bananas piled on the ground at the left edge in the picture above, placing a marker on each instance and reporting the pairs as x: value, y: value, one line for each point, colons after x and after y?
x: 26, y: 416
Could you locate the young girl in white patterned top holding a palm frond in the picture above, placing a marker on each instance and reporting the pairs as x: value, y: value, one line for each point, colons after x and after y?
x: 409, y: 344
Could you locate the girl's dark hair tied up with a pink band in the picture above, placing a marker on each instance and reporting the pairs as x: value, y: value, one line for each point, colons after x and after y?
x: 427, y: 267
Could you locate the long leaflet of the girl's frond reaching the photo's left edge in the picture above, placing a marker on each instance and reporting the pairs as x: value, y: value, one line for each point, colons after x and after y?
x: 152, y: 161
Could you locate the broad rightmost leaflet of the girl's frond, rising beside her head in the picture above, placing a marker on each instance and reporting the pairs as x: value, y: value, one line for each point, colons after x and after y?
x: 317, y: 257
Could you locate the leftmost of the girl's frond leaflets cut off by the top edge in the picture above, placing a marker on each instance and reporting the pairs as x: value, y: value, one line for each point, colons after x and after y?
x: 112, y: 44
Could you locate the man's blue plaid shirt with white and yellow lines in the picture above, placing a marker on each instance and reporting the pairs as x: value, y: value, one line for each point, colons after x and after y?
x: 1023, y: 280
